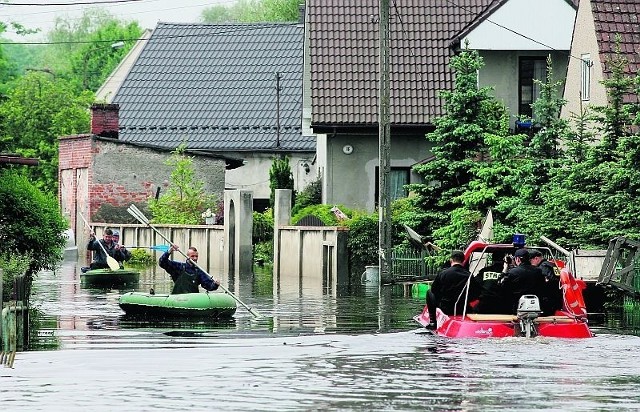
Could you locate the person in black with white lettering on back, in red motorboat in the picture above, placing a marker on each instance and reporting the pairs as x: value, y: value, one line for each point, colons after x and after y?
x: 492, y: 296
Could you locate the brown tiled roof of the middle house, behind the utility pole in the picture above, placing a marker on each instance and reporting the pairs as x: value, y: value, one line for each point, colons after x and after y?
x: 344, y: 57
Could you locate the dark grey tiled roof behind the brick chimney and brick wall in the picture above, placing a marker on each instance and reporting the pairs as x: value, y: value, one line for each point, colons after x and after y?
x: 214, y: 85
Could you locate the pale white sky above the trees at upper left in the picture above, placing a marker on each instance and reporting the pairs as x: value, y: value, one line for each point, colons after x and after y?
x: 145, y: 12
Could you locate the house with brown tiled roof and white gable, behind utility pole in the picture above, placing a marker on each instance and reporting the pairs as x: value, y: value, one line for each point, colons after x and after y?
x: 514, y: 37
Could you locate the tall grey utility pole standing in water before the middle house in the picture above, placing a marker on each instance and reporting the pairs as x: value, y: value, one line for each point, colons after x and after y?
x: 384, y: 144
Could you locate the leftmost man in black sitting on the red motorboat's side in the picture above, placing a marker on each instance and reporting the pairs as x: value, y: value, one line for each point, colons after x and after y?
x: 447, y: 291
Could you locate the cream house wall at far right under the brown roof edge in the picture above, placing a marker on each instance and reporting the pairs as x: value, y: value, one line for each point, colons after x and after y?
x: 584, y: 42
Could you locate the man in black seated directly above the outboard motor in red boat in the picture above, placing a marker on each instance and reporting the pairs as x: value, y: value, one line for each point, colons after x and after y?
x: 522, y: 279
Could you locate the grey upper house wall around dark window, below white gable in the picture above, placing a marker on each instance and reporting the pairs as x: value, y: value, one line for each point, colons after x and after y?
x: 501, y: 73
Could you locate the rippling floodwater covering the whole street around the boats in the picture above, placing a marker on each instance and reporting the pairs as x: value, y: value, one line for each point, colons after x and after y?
x: 309, y: 351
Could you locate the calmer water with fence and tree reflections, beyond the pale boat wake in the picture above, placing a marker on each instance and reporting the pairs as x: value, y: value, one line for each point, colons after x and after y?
x: 67, y: 306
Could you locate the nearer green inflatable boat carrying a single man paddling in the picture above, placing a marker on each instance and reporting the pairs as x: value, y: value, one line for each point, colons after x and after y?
x: 186, y: 305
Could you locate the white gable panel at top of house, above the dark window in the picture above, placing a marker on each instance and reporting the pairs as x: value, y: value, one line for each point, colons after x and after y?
x: 549, y: 22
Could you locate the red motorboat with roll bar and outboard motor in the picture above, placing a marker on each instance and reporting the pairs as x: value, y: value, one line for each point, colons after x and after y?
x: 570, y: 322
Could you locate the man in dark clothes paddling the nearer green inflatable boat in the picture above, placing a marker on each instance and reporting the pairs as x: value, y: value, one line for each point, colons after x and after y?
x: 185, y: 275
